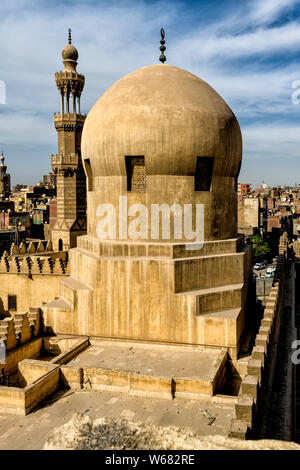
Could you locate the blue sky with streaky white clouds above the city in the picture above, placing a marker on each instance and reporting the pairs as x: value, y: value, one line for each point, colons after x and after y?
x: 249, y: 52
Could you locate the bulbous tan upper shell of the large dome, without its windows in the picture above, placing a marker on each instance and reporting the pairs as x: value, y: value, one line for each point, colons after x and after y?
x: 167, y: 115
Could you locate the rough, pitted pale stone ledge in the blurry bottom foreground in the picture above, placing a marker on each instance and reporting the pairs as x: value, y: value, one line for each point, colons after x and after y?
x: 82, y: 433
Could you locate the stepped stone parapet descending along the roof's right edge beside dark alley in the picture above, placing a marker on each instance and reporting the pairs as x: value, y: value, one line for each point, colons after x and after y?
x: 260, y: 368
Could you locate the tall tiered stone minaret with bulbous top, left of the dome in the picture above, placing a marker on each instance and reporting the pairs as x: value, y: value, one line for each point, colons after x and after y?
x: 67, y: 164
